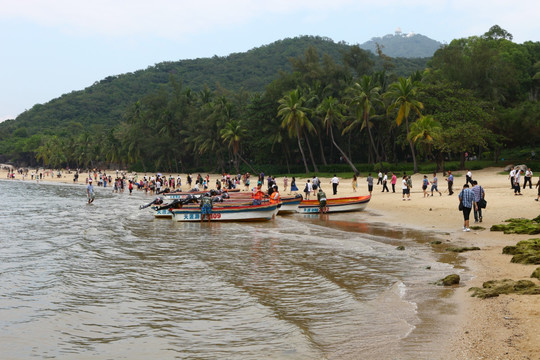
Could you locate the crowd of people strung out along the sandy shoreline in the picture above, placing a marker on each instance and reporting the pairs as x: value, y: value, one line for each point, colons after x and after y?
x: 471, y: 197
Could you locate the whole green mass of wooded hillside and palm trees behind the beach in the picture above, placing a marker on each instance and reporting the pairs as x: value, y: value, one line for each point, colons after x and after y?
x: 330, y: 104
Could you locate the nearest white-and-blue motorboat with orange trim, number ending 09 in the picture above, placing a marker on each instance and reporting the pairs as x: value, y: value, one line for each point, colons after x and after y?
x: 228, y: 213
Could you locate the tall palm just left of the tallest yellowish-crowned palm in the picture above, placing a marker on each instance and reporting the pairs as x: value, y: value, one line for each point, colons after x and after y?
x: 366, y: 96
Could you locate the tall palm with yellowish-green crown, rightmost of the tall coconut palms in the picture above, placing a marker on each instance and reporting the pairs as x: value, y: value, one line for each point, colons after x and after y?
x: 403, y: 95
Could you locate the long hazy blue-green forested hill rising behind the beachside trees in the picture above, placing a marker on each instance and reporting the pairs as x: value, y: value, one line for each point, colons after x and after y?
x: 105, y: 101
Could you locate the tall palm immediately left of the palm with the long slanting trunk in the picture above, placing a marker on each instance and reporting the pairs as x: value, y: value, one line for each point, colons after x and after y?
x: 294, y: 118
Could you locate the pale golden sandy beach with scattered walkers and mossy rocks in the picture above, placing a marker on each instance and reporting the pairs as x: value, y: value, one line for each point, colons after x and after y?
x: 504, y: 327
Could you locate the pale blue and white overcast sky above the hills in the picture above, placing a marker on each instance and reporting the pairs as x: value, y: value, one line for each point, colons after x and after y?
x: 52, y: 47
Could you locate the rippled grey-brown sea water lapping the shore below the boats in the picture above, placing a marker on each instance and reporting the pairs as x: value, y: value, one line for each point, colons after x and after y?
x: 109, y: 281
